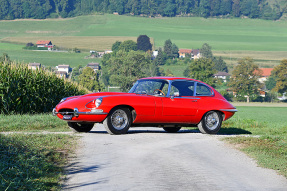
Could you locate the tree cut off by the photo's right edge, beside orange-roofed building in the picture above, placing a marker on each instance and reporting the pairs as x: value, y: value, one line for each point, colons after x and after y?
x: 280, y: 72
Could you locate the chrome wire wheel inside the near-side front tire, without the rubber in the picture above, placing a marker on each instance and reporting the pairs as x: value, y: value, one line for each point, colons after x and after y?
x: 119, y: 119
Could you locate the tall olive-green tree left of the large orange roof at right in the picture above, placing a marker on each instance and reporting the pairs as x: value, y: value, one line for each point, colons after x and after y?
x: 244, y: 79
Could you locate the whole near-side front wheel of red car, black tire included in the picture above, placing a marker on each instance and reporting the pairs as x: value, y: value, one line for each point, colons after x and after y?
x: 118, y: 121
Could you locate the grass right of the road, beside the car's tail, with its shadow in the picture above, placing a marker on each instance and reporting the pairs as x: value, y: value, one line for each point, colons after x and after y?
x: 268, y: 143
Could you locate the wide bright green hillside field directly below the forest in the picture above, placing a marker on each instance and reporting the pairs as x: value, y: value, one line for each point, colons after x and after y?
x: 186, y: 32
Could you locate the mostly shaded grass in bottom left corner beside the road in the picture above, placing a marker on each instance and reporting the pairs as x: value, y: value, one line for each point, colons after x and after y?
x: 33, y: 162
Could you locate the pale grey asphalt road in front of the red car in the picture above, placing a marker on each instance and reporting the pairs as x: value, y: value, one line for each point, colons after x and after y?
x: 150, y: 159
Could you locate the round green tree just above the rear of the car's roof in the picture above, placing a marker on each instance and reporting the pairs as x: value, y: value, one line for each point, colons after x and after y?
x: 202, y: 69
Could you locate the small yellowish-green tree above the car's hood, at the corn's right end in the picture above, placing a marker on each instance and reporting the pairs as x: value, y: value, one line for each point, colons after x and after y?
x: 90, y: 80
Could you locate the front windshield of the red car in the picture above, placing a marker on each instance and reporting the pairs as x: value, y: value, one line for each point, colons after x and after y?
x: 151, y: 87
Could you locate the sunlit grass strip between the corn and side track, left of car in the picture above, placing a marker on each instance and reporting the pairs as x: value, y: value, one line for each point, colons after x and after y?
x: 37, y: 122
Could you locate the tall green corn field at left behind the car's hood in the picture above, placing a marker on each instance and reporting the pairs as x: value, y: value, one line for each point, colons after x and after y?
x: 23, y: 90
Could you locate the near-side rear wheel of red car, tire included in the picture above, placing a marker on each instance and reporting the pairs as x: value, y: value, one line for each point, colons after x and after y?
x: 210, y: 123
